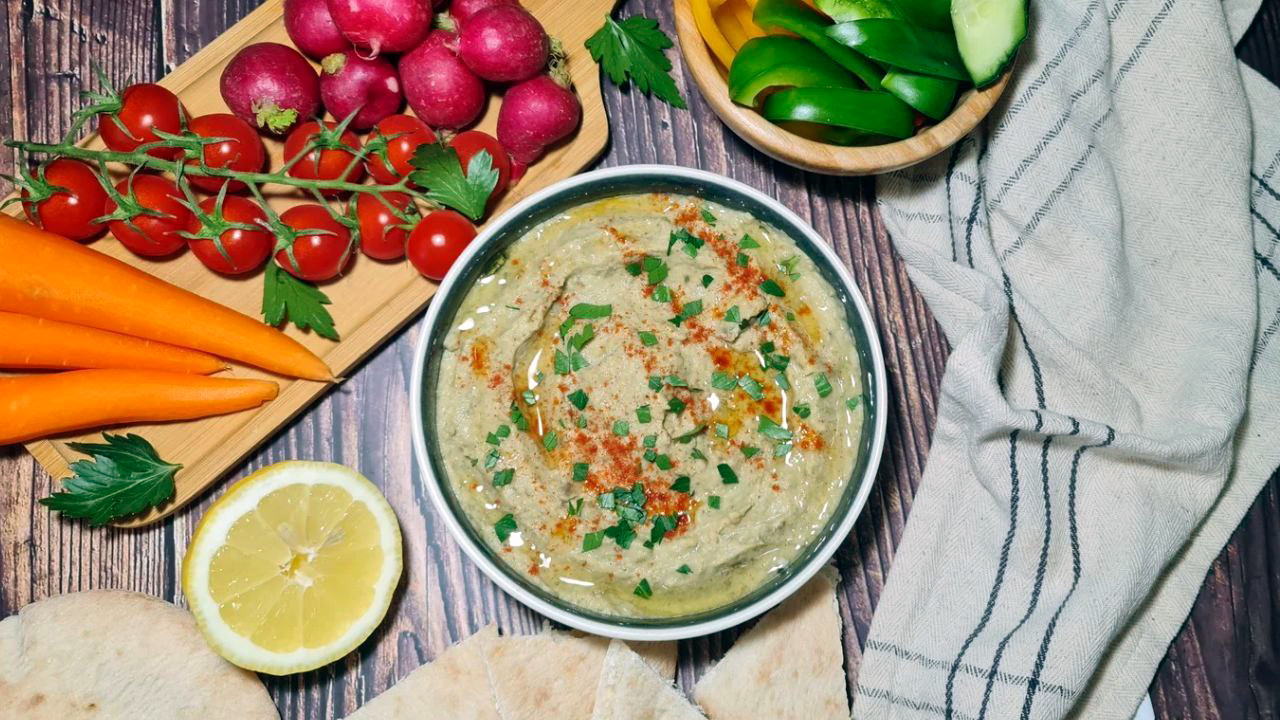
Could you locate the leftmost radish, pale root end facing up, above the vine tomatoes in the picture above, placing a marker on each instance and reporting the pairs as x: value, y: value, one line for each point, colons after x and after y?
x: 271, y: 86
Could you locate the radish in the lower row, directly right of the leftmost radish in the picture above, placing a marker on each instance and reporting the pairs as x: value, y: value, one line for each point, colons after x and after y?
x: 371, y: 89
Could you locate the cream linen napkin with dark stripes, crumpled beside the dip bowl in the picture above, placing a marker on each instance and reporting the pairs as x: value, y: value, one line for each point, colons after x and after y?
x: 1103, y: 256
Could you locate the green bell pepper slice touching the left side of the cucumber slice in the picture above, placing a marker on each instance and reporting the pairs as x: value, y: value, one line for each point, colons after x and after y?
x: 904, y: 45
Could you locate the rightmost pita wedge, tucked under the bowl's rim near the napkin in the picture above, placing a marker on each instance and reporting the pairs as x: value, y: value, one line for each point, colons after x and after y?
x: 789, y: 666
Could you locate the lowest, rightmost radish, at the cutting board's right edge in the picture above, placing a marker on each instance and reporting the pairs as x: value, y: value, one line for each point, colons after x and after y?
x: 534, y: 115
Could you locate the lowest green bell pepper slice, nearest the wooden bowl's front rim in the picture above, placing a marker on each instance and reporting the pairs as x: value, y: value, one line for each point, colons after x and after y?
x: 866, y: 111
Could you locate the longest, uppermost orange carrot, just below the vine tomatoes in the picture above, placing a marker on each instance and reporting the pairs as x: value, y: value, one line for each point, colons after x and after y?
x: 52, y: 277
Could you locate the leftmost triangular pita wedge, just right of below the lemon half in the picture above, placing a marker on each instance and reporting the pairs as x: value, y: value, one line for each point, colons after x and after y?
x: 451, y: 687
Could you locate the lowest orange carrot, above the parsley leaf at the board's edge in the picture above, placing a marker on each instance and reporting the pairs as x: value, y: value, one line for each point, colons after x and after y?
x: 44, y: 405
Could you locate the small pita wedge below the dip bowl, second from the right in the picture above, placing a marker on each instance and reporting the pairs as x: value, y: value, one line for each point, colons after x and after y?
x: 630, y: 690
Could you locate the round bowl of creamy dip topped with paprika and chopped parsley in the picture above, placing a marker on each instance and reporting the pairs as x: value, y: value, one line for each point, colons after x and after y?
x: 650, y: 403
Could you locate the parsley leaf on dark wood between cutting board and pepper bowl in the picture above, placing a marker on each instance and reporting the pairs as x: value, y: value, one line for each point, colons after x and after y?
x: 633, y: 49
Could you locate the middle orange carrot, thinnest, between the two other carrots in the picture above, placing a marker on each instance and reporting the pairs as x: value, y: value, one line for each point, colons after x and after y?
x: 39, y: 343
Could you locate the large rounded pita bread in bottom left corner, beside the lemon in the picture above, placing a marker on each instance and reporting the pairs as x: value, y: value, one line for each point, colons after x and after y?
x: 118, y: 657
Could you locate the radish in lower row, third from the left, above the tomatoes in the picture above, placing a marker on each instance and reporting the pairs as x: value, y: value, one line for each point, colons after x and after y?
x: 442, y: 92
